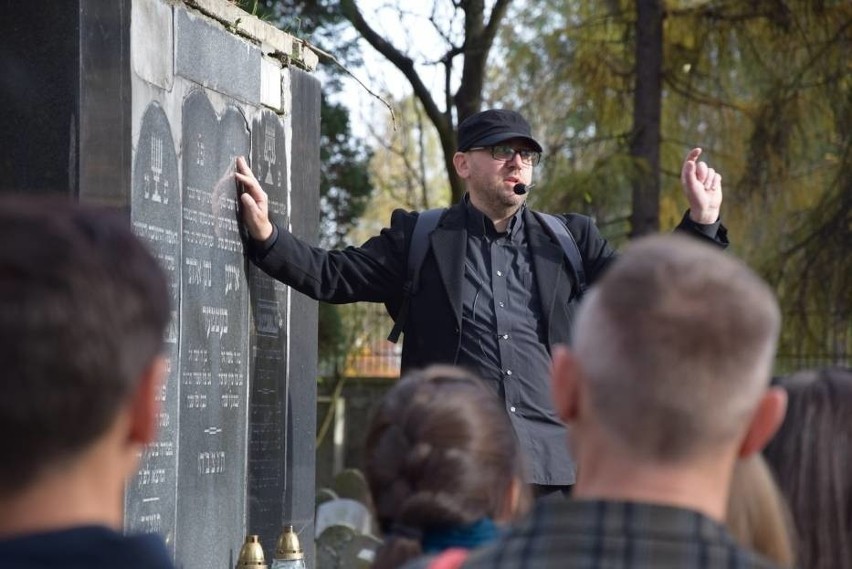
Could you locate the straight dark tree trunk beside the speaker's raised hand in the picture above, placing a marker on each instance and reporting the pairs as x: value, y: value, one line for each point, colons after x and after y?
x: 647, y: 102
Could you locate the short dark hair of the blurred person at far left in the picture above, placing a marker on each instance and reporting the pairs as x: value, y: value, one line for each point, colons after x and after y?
x: 83, y: 312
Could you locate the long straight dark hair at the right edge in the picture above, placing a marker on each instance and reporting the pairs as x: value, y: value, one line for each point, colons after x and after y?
x: 811, y: 456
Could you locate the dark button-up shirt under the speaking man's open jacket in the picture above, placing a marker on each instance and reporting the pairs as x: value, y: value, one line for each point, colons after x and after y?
x: 503, y: 339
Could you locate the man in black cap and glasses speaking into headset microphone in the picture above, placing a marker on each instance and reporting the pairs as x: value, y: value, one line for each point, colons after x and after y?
x: 495, y: 292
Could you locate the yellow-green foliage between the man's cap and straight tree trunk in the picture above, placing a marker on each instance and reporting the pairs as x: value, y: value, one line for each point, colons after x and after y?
x: 568, y: 69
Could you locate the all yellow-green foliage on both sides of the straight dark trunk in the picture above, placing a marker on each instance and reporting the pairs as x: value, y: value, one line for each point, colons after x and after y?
x: 764, y: 87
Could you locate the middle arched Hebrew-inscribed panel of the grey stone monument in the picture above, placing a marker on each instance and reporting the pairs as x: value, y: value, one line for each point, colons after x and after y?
x: 214, y: 370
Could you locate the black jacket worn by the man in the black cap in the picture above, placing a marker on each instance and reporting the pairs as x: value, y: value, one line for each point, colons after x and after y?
x: 377, y: 270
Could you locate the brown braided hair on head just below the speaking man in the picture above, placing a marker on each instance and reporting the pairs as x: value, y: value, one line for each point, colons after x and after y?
x: 440, y: 453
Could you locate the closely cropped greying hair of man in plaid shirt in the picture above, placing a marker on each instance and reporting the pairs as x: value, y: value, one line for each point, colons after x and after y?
x: 676, y: 344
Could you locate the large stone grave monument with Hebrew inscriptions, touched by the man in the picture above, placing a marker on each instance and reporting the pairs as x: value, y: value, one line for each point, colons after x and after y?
x: 144, y: 105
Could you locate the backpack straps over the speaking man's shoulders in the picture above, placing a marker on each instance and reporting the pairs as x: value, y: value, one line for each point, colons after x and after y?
x: 427, y: 221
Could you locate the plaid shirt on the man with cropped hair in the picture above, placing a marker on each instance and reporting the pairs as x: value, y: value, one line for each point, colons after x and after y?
x: 615, y: 535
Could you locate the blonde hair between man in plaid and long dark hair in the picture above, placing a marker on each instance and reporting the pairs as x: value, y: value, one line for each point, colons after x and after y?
x: 757, y: 513
